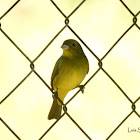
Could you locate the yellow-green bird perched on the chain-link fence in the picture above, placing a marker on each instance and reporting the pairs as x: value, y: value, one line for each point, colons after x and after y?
x: 69, y: 71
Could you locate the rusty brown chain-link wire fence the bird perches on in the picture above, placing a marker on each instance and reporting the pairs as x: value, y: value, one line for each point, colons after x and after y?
x: 81, y: 87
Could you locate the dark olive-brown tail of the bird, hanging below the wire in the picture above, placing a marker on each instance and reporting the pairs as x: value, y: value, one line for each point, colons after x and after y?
x: 55, y: 111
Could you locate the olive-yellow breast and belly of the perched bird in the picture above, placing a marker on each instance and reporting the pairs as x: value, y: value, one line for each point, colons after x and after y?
x: 71, y: 74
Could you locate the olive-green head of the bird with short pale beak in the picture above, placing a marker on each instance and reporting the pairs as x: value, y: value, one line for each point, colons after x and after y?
x: 72, y: 48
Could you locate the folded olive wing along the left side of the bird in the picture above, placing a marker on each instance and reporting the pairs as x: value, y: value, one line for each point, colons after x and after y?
x: 55, y: 71
